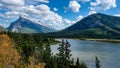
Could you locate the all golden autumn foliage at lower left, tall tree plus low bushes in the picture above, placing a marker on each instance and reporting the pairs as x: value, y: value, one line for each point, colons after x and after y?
x: 9, y: 57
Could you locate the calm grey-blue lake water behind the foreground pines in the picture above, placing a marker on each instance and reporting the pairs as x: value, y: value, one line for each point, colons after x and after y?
x: 108, y: 53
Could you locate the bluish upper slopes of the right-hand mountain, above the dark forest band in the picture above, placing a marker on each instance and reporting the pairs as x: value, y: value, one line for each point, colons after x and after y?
x: 97, y: 21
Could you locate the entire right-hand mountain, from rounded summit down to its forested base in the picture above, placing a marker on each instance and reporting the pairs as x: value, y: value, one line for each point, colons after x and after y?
x: 93, y: 26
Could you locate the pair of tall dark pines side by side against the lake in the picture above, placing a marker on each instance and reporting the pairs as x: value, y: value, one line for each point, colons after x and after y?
x: 64, y: 54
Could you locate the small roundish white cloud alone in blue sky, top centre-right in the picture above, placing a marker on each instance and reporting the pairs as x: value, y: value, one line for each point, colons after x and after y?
x: 74, y: 6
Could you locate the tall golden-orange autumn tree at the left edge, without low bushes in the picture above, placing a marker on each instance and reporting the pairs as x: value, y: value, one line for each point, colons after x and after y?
x: 8, y: 54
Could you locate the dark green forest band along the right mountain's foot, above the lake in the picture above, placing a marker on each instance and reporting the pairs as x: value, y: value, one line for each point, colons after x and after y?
x: 98, y: 34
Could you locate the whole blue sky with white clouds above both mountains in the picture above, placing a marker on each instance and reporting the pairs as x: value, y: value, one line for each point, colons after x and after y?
x: 56, y: 13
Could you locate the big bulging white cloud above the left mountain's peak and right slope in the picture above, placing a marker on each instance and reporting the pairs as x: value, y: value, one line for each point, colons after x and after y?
x: 43, y: 12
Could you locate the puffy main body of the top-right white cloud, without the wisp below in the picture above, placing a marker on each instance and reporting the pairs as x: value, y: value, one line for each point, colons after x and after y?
x: 103, y: 4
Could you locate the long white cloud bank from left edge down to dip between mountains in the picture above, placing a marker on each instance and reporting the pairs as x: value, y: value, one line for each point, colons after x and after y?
x: 42, y: 12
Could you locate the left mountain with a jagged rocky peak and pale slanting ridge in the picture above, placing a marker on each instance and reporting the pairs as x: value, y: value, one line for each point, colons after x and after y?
x: 28, y: 25
